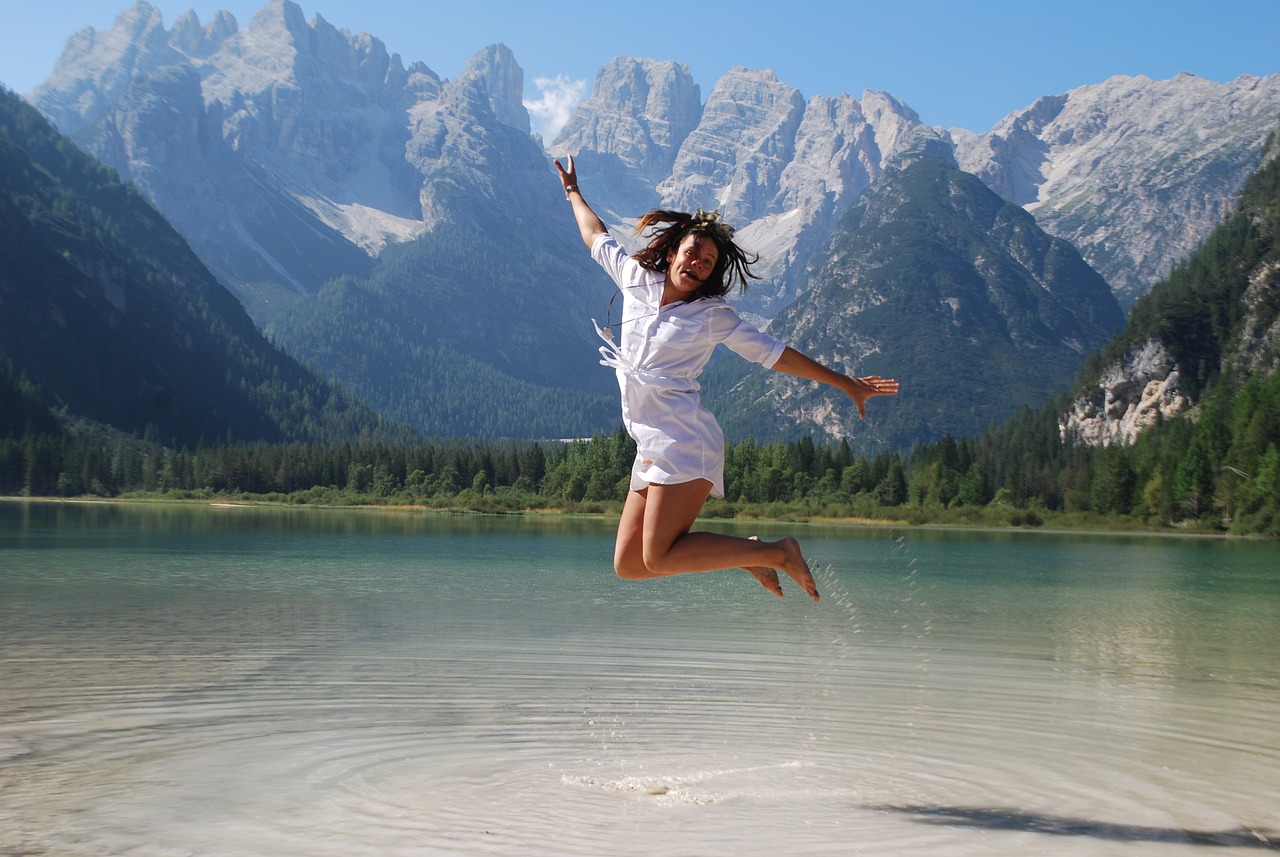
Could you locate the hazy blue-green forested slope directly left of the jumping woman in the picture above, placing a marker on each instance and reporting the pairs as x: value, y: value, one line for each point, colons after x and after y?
x: 458, y: 332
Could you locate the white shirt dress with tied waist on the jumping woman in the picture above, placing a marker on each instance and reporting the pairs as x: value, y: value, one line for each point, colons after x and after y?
x: 659, y: 359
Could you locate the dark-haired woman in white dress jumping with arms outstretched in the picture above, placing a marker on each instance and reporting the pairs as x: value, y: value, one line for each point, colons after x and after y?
x: 674, y: 314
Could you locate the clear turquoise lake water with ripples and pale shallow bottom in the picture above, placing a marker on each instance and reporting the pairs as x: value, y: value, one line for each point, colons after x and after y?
x: 244, y: 681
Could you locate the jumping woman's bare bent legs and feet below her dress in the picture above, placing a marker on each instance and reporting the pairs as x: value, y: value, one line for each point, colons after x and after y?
x: 655, y: 540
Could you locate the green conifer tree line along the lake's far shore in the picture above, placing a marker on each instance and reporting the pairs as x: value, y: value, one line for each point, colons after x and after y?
x: 1218, y: 474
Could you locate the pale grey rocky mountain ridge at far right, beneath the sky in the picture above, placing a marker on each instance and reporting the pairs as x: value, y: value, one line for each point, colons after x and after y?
x: 1133, y: 172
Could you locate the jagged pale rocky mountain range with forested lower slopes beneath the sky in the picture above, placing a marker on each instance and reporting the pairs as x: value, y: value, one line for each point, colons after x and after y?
x: 405, y: 235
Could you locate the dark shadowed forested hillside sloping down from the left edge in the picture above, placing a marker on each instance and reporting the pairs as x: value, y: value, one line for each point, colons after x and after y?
x: 108, y: 315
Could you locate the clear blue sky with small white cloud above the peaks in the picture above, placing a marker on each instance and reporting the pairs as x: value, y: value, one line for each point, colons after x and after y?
x: 958, y: 65
